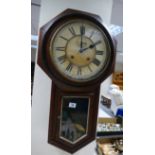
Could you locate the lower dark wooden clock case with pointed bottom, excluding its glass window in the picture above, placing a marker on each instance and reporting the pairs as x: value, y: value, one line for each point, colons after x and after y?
x: 54, y: 119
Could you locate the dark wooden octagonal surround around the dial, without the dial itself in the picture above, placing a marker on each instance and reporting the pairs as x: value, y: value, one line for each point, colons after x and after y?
x: 44, y: 43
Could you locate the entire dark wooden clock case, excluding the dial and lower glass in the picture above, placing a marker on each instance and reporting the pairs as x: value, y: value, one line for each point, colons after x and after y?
x: 62, y: 86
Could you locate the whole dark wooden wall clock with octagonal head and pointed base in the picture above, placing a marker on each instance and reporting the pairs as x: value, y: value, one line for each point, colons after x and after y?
x: 77, y: 52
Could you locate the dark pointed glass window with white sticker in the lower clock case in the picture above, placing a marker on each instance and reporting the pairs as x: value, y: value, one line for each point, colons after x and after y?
x: 74, y: 116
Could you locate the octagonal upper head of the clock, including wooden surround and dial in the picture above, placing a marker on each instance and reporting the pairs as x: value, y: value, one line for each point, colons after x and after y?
x: 76, y: 49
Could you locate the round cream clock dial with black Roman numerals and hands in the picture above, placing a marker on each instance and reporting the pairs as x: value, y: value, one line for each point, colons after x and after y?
x: 79, y: 50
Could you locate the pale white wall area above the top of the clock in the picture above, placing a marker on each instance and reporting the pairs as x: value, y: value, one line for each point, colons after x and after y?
x: 53, y: 7
